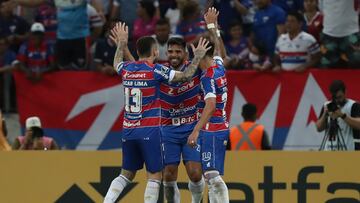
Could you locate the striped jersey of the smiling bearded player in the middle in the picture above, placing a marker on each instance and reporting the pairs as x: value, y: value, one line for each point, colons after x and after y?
x: 179, y: 106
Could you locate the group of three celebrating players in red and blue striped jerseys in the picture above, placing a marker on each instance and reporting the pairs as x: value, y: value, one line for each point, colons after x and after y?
x: 171, y: 112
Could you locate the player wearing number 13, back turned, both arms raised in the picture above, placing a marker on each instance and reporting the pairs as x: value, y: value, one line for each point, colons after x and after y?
x: 141, y: 141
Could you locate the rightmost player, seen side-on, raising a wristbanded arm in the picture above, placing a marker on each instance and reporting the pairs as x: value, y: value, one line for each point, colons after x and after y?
x: 212, y: 127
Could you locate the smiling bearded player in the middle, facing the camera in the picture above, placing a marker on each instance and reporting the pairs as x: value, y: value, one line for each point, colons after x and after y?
x: 179, y: 117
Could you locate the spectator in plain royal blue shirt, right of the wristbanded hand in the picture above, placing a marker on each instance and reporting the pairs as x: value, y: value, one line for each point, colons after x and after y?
x: 268, y: 24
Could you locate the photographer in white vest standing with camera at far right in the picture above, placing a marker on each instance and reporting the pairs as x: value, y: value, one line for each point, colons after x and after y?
x: 340, y: 118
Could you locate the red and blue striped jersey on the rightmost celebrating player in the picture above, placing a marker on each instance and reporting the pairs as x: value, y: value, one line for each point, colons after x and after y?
x: 214, y: 84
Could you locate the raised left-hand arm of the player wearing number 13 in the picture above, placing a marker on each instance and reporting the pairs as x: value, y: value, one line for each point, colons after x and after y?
x: 119, y: 34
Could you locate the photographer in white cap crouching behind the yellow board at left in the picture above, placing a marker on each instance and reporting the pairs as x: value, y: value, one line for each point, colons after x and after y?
x: 34, y: 138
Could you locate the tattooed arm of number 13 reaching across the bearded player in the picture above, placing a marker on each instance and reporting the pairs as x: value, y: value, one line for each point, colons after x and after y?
x: 199, y: 53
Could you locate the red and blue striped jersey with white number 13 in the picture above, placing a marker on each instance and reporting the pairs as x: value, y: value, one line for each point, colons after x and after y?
x: 141, y: 82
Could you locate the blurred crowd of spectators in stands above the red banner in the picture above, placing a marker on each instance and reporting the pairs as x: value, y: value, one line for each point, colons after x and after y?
x: 40, y: 36
